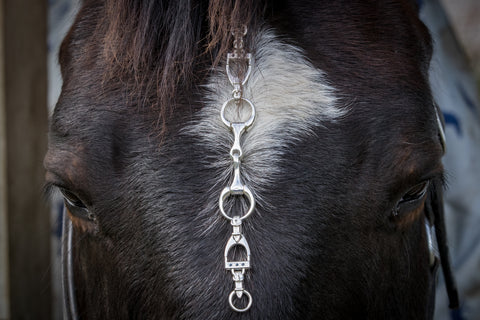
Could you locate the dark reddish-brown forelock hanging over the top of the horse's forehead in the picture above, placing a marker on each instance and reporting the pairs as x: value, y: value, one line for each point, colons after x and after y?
x: 159, y: 44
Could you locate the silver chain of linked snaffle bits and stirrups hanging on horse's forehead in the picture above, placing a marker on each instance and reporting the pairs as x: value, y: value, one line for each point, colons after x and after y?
x: 238, y: 79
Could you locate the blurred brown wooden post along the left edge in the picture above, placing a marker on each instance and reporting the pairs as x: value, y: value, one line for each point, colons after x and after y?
x: 23, y: 213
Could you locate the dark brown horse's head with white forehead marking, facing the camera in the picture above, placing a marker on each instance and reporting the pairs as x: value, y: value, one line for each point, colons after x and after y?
x: 335, y: 183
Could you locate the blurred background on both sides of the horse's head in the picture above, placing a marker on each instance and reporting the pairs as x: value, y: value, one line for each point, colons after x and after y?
x: 30, y: 228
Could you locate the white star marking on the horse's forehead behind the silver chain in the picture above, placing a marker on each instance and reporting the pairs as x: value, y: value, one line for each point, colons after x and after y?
x: 291, y: 98
